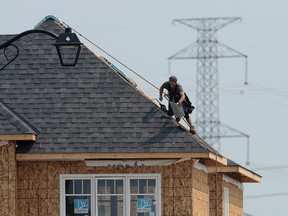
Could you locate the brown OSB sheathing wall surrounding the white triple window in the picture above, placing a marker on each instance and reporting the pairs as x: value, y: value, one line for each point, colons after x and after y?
x: 39, y: 192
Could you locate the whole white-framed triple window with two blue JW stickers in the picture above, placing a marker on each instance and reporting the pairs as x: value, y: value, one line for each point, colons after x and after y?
x: 110, y: 195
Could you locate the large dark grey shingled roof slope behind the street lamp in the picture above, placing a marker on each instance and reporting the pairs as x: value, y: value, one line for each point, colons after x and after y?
x: 83, y: 109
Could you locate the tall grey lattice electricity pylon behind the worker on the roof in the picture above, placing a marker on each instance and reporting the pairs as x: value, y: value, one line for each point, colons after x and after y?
x: 207, y: 50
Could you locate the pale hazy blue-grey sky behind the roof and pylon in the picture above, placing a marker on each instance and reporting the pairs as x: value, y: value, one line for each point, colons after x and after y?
x: 141, y: 35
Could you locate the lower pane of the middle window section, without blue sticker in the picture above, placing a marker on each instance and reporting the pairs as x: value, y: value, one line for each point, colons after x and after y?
x: 110, y: 206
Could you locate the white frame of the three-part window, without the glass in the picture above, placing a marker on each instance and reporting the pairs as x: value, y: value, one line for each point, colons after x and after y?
x: 126, y: 178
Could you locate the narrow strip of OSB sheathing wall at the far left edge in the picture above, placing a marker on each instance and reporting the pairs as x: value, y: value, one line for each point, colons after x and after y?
x: 8, y: 177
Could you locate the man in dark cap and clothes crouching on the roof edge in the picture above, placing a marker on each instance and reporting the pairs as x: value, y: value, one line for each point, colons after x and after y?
x: 177, y: 95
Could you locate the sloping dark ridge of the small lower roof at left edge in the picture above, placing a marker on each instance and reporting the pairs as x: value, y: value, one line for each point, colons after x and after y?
x: 18, y: 121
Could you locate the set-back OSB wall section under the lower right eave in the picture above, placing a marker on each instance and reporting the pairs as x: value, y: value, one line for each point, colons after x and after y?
x: 216, y: 198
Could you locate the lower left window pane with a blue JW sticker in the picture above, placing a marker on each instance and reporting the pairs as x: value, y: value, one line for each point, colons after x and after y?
x: 78, y: 205
